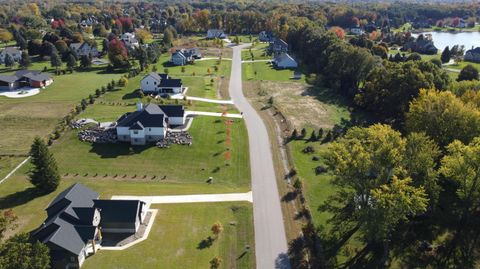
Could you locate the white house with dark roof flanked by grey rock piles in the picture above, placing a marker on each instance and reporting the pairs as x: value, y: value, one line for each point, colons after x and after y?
x: 149, y: 123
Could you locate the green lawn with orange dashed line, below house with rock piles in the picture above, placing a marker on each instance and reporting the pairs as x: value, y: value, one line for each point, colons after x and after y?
x: 179, y: 164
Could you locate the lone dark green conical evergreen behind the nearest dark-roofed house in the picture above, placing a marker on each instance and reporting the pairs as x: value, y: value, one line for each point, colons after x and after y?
x: 44, y: 174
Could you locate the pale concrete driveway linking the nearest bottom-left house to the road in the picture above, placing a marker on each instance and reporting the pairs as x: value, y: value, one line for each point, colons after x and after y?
x: 194, y: 198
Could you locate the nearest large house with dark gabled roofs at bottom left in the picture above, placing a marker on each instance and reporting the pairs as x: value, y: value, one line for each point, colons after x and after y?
x: 73, y: 227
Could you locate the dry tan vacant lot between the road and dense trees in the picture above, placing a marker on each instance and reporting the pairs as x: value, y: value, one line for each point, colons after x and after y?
x: 302, y: 105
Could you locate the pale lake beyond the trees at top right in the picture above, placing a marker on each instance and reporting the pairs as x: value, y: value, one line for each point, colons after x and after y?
x: 443, y: 39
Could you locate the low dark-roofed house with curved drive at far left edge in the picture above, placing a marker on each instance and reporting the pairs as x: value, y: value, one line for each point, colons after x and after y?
x: 24, y: 78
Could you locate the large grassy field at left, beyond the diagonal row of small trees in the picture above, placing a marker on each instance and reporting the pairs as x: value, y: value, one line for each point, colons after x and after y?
x: 24, y: 118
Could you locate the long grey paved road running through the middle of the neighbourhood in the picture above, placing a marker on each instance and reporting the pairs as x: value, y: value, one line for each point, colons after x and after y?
x: 270, y: 238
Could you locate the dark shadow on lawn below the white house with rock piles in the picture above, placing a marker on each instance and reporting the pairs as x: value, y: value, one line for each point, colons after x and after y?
x: 110, y: 150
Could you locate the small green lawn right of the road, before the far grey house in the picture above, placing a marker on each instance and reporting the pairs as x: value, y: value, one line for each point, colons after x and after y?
x: 265, y: 71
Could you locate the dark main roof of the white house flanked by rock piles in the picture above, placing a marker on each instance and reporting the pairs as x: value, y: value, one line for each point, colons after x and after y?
x: 150, y: 116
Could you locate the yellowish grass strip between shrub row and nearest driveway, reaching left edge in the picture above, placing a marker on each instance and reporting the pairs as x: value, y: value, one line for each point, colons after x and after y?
x: 18, y: 194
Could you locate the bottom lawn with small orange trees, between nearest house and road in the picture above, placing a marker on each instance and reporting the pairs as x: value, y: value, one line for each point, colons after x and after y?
x: 176, y: 236
